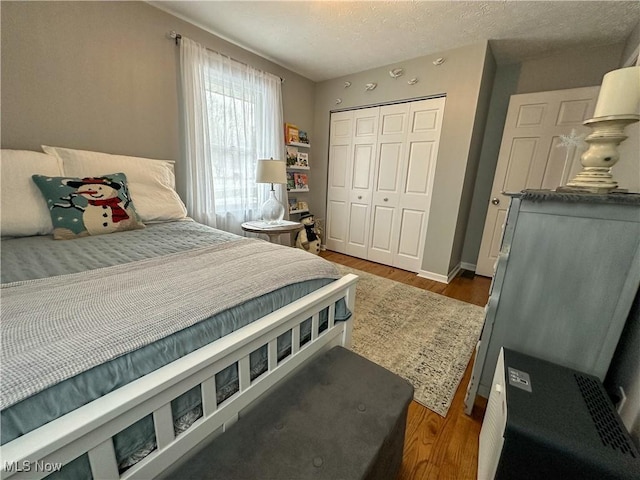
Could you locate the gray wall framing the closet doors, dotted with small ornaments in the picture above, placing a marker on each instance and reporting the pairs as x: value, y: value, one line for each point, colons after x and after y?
x: 465, y: 77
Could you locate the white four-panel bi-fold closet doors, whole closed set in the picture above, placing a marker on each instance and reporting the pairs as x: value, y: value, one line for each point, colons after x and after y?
x: 381, y: 167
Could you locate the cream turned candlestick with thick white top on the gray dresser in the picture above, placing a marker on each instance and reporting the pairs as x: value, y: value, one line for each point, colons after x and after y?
x: 618, y: 106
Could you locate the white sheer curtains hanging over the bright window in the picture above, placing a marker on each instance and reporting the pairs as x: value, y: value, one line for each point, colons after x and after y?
x: 232, y: 116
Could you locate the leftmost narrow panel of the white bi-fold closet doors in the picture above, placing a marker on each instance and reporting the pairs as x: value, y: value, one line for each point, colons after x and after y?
x: 339, y: 181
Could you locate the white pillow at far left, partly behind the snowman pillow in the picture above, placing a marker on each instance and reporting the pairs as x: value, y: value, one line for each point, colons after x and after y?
x: 23, y: 210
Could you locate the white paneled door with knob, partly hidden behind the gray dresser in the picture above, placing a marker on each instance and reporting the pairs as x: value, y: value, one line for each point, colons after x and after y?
x: 529, y: 158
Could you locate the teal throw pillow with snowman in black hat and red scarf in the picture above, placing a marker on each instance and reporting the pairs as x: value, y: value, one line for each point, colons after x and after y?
x: 88, y: 206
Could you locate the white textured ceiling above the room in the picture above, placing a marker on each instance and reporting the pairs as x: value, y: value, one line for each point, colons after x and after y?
x: 327, y: 39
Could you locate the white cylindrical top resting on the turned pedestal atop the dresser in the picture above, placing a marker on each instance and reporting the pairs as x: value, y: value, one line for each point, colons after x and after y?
x: 620, y: 93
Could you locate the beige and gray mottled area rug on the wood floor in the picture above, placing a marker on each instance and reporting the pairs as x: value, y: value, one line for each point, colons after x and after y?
x: 424, y: 337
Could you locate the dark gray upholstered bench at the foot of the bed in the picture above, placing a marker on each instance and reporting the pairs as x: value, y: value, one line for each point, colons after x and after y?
x: 339, y: 417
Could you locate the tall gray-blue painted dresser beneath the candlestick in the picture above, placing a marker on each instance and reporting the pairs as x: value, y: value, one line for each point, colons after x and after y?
x: 565, y: 279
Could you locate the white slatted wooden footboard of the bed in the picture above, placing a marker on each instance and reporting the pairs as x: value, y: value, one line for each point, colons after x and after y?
x: 91, y: 427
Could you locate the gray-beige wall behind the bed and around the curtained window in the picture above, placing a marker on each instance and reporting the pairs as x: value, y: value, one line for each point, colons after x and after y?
x: 103, y: 76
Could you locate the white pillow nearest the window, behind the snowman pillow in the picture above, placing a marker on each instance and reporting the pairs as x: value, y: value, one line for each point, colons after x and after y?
x: 151, y: 182
